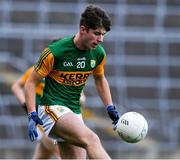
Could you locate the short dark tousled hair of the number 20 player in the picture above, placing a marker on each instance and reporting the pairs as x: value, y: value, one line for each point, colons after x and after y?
x: 94, y: 17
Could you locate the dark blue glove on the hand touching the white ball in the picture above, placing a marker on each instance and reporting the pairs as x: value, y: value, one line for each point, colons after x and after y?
x: 113, y: 114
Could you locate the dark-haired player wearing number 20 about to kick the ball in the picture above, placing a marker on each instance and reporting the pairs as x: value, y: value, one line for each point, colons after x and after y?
x: 66, y: 66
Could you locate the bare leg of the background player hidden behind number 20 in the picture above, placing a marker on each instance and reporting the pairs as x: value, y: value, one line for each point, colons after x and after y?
x: 46, y: 149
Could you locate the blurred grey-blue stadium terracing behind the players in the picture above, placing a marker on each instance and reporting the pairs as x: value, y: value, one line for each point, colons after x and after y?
x: 143, y: 69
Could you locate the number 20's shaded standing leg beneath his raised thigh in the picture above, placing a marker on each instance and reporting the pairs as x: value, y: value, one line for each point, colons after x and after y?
x: 69, y: 151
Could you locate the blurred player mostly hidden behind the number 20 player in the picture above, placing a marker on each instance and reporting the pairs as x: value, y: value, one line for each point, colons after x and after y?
x: 45, y: 147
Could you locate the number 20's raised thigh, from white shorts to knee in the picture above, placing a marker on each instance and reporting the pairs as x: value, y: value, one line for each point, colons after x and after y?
x: 73, y: 130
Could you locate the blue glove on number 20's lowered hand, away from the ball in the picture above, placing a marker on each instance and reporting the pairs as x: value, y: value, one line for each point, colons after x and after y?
x: 33, y: 121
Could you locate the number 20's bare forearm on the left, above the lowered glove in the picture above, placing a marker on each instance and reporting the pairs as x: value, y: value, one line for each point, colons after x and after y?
x: 30, y: 96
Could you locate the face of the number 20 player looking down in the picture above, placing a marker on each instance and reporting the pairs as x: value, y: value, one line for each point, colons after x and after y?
x: 91, y: 38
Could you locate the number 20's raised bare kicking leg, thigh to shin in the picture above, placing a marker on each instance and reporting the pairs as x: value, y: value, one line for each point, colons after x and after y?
x: 74, y: 131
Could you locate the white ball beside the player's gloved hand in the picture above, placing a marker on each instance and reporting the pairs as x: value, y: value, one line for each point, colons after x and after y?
x: 132, y: 127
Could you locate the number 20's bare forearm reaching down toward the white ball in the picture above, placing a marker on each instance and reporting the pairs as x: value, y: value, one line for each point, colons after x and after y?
x: 103, y: 90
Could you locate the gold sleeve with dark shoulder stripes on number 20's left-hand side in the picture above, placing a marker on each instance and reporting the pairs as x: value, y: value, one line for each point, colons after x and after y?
x: 45, y: 63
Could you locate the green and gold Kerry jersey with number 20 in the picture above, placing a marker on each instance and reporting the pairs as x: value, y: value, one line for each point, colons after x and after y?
x: 67, y: 69
